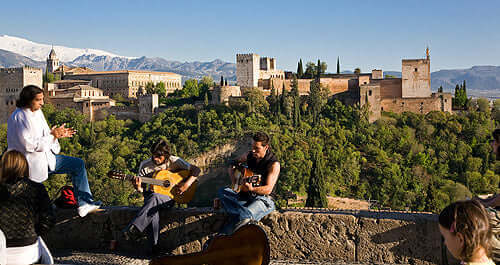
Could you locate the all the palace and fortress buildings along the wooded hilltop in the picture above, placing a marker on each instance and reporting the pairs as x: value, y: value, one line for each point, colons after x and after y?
x: 89, y: 91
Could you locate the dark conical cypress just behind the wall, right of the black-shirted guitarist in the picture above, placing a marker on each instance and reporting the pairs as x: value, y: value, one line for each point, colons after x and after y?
x: 316, y: 192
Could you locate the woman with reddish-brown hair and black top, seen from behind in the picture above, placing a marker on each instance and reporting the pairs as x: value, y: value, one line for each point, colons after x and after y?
x: 25, y: 211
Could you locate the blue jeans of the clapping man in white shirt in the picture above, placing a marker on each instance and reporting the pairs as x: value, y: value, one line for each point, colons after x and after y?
x: 76, y: 168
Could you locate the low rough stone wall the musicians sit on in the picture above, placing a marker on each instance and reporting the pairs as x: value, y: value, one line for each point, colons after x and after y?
x: 309, y: 235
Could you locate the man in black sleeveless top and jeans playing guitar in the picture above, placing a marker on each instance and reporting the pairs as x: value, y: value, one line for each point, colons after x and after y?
x: 252, y: 203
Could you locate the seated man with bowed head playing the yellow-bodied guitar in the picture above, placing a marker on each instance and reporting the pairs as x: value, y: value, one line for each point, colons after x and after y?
x: 148, y: 215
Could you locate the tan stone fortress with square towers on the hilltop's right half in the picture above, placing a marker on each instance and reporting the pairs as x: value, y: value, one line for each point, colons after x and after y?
x: 411, y: 93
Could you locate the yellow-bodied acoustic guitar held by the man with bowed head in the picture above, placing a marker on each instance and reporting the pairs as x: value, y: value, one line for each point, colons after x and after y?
x: 164, y: 182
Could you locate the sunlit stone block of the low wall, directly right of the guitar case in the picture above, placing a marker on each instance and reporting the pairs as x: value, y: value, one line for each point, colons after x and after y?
x: 307, y: 236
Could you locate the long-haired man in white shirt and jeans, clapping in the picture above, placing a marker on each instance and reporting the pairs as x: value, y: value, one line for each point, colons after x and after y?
x: 29, y: 133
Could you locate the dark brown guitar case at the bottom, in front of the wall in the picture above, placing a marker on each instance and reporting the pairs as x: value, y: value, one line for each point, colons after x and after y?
x: 247, y: 246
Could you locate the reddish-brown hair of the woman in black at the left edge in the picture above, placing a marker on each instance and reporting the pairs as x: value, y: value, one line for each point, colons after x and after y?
x: 13, y: 166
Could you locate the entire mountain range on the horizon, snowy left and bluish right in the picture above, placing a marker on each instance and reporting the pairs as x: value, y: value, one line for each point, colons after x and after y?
x: 15, y: 52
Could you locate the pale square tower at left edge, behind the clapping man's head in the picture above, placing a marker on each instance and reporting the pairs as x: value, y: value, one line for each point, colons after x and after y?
x: 12, y: 81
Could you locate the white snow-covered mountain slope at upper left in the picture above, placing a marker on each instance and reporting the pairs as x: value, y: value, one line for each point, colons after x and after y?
x: 39, y: 52
